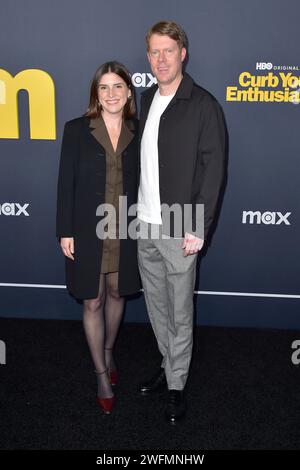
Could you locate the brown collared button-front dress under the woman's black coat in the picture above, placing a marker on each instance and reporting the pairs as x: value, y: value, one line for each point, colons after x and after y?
x: 113, y: 186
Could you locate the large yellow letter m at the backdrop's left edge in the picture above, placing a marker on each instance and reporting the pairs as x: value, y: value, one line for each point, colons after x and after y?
x: 41, y: 96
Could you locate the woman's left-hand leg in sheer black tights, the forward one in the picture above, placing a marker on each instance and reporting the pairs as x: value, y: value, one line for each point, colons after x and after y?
x: 94, y: 326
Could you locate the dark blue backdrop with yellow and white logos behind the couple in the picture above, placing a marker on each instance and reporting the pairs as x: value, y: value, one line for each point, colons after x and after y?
x: 246, y: 55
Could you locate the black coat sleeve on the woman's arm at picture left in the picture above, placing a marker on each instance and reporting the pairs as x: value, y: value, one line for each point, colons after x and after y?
x: 66, y: 182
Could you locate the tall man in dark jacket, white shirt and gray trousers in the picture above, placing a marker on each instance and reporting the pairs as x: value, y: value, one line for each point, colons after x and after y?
x: 182, y: 161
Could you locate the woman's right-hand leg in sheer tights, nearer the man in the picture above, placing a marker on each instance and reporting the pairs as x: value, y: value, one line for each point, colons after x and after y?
x: 114, y: 307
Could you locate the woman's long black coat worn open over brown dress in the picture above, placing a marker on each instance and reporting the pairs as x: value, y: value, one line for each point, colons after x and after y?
x: 81, y: 189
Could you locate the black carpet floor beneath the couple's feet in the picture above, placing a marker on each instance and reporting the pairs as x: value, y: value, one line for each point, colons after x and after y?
x: 243, y: 391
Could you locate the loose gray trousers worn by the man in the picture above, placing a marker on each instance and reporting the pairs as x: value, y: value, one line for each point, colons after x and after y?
x: 168, y: 280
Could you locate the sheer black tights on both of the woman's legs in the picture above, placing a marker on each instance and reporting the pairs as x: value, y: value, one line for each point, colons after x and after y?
x: 101, y: 320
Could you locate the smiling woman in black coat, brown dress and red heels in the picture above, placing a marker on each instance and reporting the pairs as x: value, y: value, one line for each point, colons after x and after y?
x: 99, y: 162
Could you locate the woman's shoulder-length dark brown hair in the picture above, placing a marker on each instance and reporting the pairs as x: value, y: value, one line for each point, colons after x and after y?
x: 94, y: 110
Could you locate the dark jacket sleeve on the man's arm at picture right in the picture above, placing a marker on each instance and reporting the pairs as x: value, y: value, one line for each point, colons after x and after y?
x: 211, y: 159
